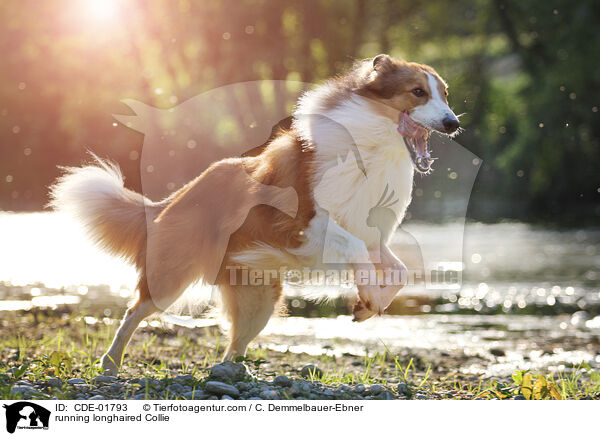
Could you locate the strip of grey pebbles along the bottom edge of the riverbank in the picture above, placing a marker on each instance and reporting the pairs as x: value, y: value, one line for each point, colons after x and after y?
x: 225, y: 381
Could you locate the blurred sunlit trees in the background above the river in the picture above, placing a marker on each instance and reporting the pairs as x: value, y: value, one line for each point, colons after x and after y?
x: 526, y: 75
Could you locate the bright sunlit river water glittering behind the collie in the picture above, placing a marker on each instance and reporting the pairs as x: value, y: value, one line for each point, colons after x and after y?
x: 524, y: 289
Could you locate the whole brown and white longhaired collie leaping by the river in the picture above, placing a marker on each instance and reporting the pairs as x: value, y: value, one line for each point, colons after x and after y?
x: 293, y: 202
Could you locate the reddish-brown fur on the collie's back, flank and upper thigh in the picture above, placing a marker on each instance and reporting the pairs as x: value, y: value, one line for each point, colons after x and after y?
x: 214, y: 204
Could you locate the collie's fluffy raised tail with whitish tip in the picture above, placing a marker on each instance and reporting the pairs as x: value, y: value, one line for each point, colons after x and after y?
x: 113, y: 216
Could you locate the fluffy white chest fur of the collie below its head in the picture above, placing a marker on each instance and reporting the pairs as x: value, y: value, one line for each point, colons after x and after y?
x: 347, y: 189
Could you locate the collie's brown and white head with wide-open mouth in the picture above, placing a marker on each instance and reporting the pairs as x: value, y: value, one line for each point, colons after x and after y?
x: 412, y: 94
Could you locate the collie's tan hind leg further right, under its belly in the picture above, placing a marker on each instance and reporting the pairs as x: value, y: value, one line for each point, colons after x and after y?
x: 248, y: 309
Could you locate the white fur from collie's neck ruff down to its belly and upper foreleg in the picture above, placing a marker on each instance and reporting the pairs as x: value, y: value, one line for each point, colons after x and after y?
x: 344, y: 195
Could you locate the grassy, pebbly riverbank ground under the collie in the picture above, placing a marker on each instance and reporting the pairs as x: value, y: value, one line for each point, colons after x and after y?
x: 55, y: 356
